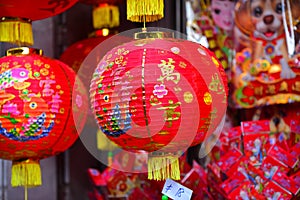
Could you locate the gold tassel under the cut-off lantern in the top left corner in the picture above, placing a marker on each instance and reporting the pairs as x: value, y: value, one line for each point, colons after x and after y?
x: 17, y: 31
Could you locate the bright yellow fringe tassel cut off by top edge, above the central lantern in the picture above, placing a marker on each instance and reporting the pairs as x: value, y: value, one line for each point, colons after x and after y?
x: 145, y: 10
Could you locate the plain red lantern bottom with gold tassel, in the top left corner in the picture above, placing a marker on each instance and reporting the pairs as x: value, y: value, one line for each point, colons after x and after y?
x: 17, y: 15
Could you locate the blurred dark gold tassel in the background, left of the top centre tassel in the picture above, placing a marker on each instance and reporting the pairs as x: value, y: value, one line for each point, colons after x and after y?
x: 106, y: 16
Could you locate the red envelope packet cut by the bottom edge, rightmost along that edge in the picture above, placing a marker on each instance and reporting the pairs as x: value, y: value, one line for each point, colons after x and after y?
x: 274, y: 191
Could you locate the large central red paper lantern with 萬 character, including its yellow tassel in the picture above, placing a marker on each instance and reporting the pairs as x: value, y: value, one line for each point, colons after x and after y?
x: 160, y: 96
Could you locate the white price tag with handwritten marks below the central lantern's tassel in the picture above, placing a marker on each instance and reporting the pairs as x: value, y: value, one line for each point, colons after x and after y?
x: 176, y: 191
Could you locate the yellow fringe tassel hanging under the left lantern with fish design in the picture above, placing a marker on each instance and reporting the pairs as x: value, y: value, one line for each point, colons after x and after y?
x: 26, y: 173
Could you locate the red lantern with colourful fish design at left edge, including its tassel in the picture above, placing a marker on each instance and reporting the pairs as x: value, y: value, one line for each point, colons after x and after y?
x: 35, y: 114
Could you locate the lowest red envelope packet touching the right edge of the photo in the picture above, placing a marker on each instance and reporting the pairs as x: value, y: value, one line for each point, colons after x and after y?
x: 286, y: 182
